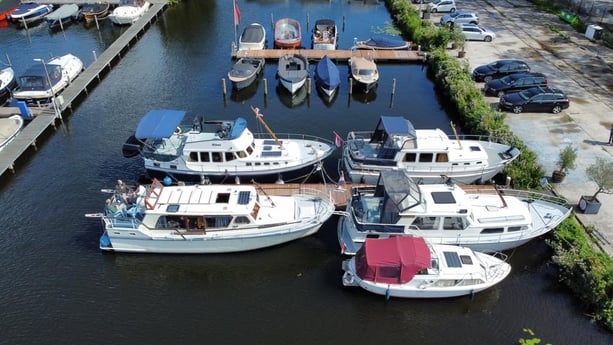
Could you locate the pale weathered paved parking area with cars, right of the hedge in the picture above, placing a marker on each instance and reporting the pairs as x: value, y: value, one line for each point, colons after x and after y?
x: 584, y: 70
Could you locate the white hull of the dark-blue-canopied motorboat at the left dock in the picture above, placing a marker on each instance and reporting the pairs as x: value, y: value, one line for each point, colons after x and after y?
x: 71, y: 68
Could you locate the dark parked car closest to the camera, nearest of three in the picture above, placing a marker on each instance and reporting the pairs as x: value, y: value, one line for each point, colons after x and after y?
x: 535, y: 99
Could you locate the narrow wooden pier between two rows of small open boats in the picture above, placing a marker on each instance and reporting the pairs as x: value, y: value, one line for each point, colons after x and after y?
x: 317, y: 54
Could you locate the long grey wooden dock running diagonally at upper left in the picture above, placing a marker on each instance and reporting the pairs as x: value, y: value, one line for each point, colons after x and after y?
x: 45, y: 117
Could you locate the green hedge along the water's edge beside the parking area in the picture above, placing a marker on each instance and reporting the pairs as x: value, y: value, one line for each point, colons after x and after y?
x: 583, y: 267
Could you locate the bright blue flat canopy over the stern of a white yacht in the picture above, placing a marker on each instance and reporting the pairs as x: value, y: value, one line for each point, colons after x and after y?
x: 158, y: 124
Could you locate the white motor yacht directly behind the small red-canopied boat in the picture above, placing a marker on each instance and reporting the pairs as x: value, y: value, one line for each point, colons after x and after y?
x: 483, y: 218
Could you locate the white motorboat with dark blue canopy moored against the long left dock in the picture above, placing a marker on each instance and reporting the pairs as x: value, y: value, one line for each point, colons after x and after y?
x: 44, y: 80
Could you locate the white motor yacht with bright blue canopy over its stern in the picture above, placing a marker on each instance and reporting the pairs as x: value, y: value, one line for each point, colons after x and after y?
x: 222, y: 150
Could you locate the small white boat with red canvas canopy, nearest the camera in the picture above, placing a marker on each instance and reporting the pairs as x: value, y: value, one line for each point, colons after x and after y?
x: 408, y: 267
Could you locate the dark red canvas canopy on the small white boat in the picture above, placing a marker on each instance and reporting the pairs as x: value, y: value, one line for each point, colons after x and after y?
x: 393, y: 260
